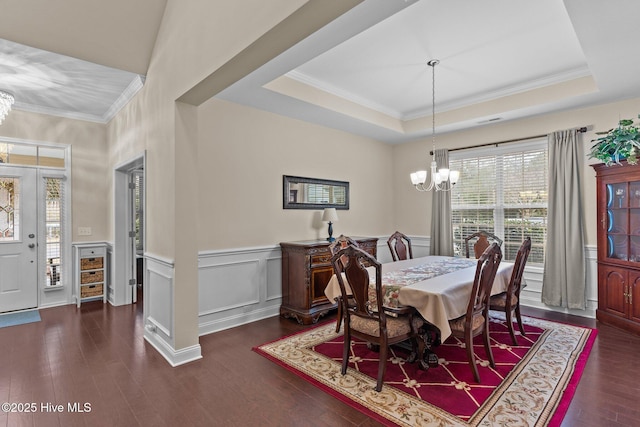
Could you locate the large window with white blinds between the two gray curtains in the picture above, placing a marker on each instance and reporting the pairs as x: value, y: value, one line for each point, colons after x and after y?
x: 503, y: 190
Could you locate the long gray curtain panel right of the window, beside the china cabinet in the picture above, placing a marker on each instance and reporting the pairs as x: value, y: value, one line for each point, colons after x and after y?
x: 564, y: 279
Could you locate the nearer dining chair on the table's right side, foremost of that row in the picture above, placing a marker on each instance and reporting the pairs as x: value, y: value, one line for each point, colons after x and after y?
x: 476, y: 319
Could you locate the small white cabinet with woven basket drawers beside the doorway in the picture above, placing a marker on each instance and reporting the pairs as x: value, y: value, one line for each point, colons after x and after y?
x: 90, y: 272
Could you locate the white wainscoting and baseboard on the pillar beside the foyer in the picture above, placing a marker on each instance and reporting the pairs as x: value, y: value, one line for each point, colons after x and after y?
x: 158, y: 291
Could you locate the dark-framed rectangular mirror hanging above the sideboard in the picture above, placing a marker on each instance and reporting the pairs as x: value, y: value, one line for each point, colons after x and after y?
x: 312, y: 193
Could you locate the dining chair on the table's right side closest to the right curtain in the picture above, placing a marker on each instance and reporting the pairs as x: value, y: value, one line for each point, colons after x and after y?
x: 509, y: 301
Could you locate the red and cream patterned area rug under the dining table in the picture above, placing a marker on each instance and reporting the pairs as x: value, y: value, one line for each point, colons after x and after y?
x: 531, y: 385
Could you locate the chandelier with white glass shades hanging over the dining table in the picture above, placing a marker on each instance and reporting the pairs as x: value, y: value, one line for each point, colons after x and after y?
x: 443, y: 179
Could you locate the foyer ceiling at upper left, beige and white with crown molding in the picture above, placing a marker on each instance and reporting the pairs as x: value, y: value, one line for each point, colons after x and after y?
x: 81, y: 59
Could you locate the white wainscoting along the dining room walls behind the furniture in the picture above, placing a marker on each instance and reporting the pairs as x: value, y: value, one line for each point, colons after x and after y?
x: 239, y: 286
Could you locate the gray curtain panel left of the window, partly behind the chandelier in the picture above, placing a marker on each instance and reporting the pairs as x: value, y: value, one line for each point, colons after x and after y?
x: 441, y: 227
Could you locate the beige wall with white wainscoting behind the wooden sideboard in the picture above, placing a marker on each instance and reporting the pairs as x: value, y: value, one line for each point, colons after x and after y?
x: 242, y: 155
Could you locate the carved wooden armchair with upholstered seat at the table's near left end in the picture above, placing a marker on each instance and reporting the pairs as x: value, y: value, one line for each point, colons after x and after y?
x: 369, y: 321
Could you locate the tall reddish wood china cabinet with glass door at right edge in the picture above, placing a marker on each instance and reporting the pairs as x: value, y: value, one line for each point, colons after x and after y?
x: 618, y: 201
